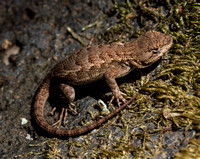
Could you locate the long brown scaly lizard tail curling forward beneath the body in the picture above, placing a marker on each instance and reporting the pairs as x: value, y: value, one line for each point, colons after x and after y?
x: 38, y: 113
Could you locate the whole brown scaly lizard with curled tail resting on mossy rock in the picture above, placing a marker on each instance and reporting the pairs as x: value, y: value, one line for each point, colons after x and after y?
x: 92, y: 63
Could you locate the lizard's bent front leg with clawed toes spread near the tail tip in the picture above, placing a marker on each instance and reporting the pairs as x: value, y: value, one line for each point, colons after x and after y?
x: 110, y: 76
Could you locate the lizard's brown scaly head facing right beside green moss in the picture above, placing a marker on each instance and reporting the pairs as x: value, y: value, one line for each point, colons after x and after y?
x: 152, y: 45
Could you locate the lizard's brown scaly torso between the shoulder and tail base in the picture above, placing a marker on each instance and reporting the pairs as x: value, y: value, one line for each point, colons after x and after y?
x: 89, y: 63
